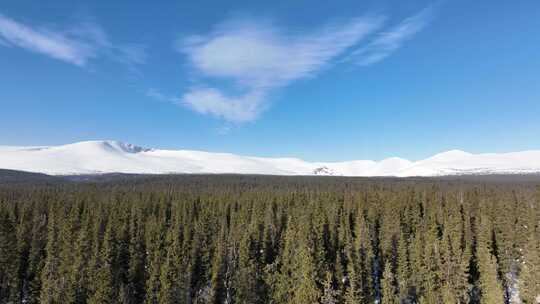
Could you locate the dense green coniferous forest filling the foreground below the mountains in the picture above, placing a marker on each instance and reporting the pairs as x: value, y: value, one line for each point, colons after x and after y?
x: 263, y: 239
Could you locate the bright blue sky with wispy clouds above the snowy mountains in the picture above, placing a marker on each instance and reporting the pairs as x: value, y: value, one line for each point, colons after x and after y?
x: 334, y: 81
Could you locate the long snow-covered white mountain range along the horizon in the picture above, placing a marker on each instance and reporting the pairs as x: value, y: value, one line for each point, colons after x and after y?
x: 96, y: 157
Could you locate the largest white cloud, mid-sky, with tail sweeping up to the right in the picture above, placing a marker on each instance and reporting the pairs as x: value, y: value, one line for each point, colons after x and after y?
x: 258, y: 58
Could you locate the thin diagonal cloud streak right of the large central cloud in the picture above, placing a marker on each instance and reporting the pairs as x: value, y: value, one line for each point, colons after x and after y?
x: 391, y: 40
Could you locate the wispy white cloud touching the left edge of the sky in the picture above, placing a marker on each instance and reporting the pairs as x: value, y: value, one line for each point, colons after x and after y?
x: 77, y: 45
